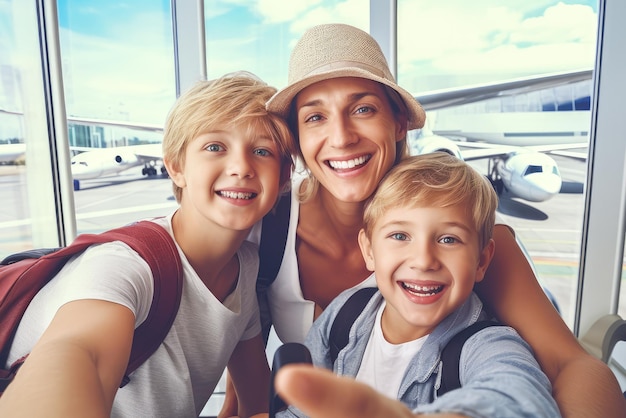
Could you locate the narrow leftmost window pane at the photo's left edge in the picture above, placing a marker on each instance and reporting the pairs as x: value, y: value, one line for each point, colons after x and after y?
x: 21, y: 124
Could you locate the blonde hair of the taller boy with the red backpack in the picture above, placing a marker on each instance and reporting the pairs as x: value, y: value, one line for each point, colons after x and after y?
x: 231, y: 100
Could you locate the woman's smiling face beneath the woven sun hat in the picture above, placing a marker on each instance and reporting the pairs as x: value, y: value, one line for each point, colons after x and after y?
x: 348, y: 135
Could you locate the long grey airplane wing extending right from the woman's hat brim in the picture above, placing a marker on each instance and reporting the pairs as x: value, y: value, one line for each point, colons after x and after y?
x: 439, y: 99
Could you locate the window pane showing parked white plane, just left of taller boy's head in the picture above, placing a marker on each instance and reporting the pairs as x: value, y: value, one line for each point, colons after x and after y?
x: 118, y: 70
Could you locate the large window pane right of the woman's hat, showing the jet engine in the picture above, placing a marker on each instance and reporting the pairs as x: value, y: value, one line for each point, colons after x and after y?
x: 481, y: 43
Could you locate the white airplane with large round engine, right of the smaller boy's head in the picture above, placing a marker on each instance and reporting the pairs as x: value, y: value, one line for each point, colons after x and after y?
x: 518, y: 162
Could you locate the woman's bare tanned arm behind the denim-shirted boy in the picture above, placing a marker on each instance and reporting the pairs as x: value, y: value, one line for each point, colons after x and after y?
x: 582, y: 385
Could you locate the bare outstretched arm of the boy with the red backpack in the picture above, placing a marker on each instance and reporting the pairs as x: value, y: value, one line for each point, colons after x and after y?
x: 77, y: 365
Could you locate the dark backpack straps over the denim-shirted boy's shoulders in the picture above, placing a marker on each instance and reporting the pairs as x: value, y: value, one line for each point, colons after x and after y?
x: 450, y: 355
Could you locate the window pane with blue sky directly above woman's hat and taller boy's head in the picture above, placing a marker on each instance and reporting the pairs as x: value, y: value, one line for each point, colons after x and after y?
x: 258, y: 36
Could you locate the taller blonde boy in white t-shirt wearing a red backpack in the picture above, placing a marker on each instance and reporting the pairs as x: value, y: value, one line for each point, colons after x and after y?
x: 228, y: 159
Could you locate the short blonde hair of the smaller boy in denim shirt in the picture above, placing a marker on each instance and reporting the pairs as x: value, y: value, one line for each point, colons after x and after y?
x: 436, y: 179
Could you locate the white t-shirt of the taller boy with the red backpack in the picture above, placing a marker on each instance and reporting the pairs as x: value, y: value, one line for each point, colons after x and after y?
x: 178, y: 379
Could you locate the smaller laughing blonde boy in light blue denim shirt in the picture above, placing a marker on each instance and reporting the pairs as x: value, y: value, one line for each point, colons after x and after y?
x: 427, y: 235
